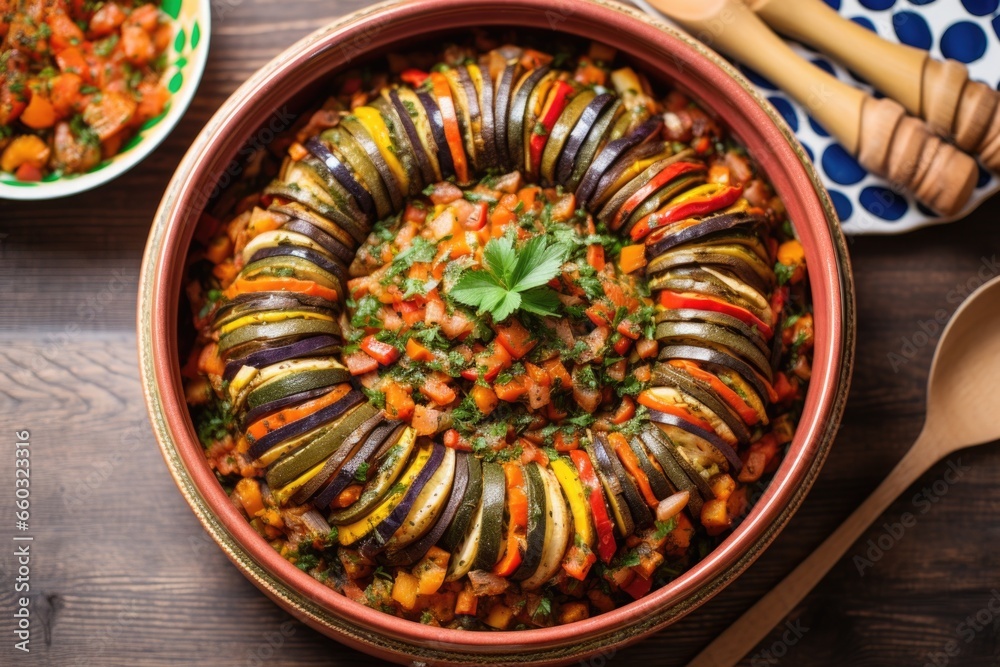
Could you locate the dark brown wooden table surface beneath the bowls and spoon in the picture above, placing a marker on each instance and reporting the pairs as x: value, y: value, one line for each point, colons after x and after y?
x: 123, y: 574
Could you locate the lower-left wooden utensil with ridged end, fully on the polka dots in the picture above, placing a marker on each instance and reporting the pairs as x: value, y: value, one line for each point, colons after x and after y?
x: 886, y: 141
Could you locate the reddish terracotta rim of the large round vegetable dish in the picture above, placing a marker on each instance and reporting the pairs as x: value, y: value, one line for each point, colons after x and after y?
x: 401, y: 640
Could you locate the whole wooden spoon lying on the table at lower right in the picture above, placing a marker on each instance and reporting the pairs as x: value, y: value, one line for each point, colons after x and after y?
x: 961, y: 412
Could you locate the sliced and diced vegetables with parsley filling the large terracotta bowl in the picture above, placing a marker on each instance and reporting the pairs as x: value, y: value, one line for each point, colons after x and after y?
x: 504, y: 344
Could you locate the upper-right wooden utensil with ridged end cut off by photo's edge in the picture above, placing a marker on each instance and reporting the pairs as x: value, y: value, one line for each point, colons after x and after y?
x: 967, y: 112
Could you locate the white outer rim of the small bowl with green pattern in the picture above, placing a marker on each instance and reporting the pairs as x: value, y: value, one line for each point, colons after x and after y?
x: 154, y: 136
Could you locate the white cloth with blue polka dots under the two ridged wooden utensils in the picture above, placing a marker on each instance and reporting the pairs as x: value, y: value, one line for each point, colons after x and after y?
x: 965, y: 30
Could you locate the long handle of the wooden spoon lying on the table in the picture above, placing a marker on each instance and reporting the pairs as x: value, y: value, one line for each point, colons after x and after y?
x: 754, y: 625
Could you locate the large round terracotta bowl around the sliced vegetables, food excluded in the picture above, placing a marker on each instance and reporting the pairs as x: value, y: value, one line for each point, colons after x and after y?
x: 261, y: 107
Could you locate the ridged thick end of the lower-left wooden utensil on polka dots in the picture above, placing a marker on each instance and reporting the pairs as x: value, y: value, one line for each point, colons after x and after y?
x: 902, y: 148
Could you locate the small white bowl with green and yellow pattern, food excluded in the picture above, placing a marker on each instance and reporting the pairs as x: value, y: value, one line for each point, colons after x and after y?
x: 186, y: 57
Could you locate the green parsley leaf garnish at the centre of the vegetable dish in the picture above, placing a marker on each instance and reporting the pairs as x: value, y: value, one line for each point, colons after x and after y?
x: 512, y: 279
